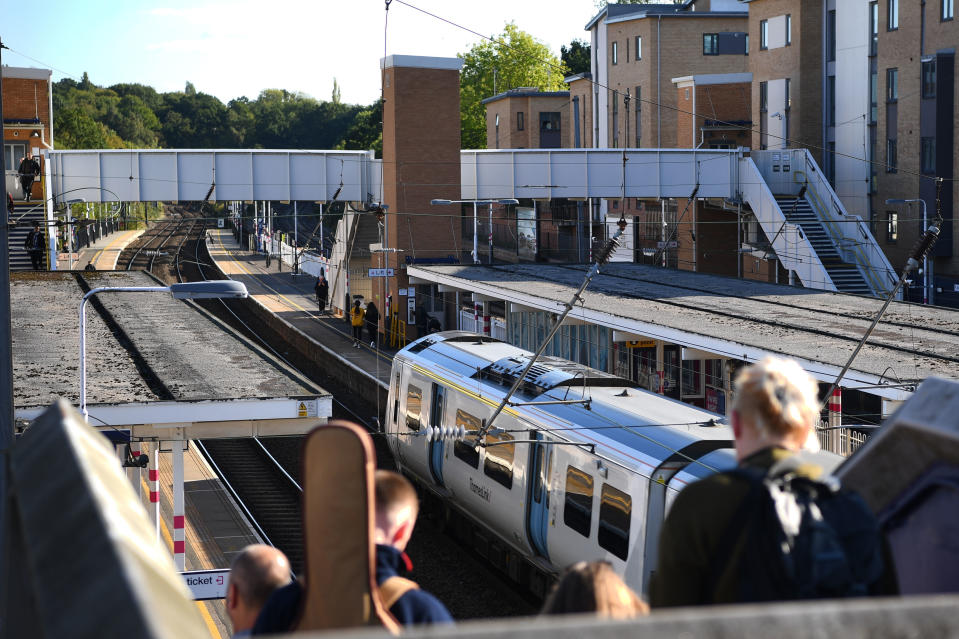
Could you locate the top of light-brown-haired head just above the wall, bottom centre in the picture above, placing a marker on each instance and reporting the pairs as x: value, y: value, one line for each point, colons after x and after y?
x: 594, y: 587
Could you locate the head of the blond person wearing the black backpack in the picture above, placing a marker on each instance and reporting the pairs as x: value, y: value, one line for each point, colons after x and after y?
x: 775, y: 405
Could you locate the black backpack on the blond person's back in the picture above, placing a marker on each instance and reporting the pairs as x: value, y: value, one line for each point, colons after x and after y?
x: 804, y: 539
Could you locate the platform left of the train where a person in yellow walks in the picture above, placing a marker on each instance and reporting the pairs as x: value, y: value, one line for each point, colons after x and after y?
x: 290, y: 297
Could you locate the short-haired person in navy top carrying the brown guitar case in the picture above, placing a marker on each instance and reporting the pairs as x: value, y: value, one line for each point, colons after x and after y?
x: 396, y: 510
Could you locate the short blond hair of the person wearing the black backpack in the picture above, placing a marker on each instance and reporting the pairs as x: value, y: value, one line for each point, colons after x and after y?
x: 779, y: 398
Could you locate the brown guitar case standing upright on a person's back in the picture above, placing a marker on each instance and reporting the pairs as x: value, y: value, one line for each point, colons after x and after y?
x: 338, y: 524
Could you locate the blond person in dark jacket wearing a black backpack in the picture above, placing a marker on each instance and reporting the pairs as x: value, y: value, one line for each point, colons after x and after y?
x: 773, y: 528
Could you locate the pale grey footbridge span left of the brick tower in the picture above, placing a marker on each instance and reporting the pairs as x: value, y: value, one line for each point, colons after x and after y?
x: 151, y: 175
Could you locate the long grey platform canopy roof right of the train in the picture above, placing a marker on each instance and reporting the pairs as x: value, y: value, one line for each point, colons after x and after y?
x: 739, y: 319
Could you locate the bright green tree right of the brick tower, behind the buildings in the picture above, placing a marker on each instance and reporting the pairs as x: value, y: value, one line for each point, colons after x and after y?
x: 518, y: 60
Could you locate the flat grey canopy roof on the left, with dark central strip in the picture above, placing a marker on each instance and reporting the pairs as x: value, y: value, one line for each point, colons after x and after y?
x: 177, y: 352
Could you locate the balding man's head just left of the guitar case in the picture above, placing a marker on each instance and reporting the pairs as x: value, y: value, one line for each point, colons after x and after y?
x: 256, y: 572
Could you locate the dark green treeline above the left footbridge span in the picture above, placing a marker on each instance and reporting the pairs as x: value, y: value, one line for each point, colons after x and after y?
x: 137, y: 116
